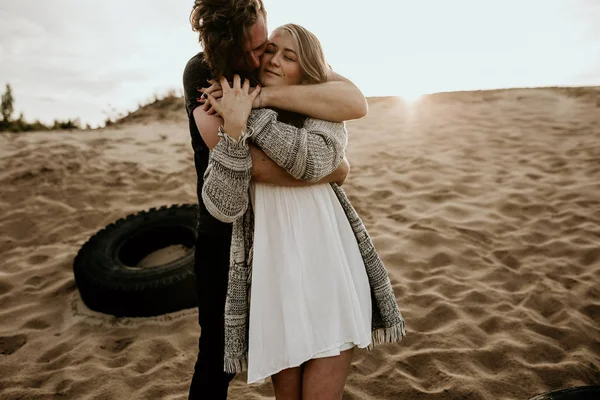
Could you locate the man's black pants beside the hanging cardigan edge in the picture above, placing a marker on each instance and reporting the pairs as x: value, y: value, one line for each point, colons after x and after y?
x: 211, y: 267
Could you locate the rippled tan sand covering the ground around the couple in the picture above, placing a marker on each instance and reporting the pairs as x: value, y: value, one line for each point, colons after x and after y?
x: 485, y: 207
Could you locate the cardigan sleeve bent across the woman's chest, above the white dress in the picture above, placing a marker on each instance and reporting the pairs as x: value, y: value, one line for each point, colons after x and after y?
x: 309, y: 153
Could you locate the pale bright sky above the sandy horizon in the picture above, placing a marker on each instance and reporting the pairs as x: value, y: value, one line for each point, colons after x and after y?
x: 94, y: 59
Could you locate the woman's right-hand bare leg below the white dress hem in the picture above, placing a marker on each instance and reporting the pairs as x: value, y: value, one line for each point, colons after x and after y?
x: 325, y: 378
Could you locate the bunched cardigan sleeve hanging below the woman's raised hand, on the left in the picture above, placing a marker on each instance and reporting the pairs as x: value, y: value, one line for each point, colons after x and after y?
x: 227, y: 178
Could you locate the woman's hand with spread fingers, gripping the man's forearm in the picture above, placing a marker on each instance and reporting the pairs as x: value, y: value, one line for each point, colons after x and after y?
x: 235, y: 105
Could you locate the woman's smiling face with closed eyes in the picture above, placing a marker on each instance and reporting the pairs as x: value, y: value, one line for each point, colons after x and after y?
x: 279, y: 64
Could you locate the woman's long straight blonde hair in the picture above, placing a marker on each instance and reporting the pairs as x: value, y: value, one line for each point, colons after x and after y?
x: 310, y: 53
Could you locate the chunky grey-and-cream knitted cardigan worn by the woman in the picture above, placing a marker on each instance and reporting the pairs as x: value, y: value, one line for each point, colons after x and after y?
x: 309, y: 153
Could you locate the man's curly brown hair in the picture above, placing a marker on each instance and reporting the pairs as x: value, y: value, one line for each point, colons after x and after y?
x: 223, y: 27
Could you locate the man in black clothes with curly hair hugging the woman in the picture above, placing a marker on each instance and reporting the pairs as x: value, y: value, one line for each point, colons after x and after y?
x: 234, y: 36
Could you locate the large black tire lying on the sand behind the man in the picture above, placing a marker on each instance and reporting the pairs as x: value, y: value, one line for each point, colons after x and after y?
x: 105, y: 271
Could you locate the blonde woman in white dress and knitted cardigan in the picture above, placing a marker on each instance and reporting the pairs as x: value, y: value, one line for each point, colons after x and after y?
x: 318, y: 288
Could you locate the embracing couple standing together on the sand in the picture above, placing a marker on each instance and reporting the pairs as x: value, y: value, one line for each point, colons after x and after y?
x: 288, y: 280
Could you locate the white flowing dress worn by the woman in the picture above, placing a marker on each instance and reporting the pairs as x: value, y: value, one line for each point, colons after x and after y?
x: 310, y: 295
